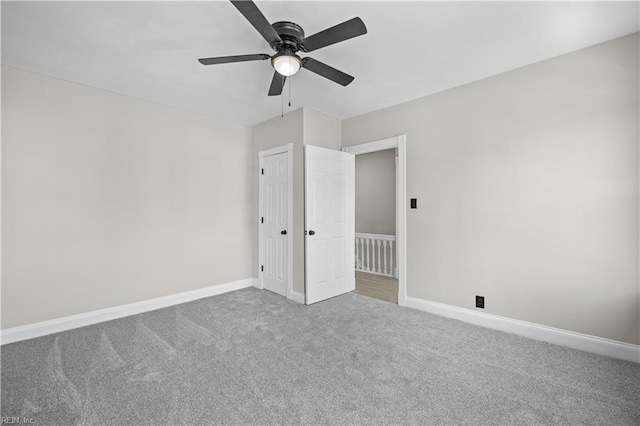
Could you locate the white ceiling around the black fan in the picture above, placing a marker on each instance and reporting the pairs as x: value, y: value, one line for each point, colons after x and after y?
x: 149, y: 50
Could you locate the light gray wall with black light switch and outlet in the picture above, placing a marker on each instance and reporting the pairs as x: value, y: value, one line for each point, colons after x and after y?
x: 527, y: 187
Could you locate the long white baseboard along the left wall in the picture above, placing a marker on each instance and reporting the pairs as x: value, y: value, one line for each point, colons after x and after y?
x: 57, y: 325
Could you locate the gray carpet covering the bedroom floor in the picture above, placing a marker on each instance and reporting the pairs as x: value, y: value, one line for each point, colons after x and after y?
x: 252, y: 357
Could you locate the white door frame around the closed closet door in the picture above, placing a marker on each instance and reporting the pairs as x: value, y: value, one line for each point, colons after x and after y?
x: 288, y: 149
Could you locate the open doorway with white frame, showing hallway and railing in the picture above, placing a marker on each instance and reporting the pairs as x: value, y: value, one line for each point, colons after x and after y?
x: 380, y: 238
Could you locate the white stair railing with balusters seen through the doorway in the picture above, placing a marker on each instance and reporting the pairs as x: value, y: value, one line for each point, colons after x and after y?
x: 376, y: 254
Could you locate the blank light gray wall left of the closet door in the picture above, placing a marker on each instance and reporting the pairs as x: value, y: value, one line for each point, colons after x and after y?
x: 108, y: 200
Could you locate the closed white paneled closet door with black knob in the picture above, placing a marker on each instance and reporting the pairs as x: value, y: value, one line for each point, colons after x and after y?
x: 275, y: 221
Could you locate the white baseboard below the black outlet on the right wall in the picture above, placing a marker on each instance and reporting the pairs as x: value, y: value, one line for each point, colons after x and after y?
x: 585, y: 342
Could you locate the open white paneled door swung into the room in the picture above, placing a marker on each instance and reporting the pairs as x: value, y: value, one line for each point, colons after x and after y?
x: 329, y: 223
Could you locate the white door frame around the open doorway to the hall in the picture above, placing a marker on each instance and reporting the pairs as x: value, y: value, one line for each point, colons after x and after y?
x: 399, y: 142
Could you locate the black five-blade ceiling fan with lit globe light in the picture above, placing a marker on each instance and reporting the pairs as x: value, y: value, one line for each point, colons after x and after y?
x: 287, y: 38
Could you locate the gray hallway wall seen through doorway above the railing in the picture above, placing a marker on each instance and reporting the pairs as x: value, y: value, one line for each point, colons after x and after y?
x: 376, y: 192
